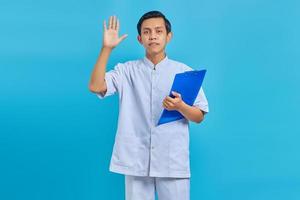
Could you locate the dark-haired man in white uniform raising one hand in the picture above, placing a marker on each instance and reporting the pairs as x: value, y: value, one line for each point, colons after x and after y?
x: 152, y: 158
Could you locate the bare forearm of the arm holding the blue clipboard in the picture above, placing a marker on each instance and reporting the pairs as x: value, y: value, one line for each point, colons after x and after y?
x: 191, y: 113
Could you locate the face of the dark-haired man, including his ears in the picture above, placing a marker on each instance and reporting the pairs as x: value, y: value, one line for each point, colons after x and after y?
x: 154, y: 35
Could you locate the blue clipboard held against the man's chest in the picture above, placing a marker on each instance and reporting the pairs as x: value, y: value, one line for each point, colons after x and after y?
x: 188, y: 85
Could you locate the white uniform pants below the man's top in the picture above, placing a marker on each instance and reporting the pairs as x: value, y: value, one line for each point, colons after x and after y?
x: 144, y: 188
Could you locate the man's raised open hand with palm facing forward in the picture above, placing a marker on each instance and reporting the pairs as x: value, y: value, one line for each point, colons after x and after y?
x: 111, y: 34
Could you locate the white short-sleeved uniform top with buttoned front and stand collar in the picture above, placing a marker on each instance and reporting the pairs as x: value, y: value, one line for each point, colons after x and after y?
x: 141, y: 147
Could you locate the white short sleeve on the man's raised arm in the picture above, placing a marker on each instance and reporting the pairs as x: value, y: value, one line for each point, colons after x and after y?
x: 113, y: 79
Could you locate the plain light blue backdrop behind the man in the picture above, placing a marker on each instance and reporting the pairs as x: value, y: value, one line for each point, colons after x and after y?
x: 56, y: 137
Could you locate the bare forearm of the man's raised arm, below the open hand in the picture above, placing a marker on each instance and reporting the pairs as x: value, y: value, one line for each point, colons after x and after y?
x: 97, y: 82
